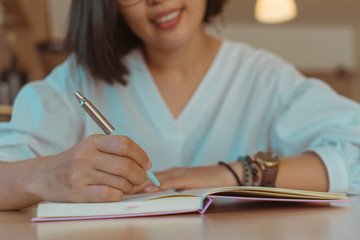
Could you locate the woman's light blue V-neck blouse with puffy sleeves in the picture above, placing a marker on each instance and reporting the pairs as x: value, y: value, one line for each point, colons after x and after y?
x: 249, y: 100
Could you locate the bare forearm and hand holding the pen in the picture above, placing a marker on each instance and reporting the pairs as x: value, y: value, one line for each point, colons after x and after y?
x: 99, y: 169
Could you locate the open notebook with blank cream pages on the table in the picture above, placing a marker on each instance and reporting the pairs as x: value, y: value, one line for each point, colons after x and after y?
x: 173, y: 202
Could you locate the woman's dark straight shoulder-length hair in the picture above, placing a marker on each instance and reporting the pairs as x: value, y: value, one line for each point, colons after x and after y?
x: 99, y: 37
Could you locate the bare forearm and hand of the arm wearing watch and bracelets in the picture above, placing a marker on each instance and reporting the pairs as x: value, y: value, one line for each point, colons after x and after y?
x: 305, y: 172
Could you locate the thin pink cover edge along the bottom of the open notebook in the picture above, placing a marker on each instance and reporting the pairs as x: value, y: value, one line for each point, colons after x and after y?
x: 205, y: 204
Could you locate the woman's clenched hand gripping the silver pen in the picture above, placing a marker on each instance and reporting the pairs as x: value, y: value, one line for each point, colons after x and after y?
x: 99, y: 169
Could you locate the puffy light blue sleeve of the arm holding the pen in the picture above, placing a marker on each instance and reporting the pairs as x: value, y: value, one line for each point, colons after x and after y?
x: 43, y: 123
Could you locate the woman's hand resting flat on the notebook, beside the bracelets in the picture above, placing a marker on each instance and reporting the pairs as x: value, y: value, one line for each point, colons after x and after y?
x: 181, y: 178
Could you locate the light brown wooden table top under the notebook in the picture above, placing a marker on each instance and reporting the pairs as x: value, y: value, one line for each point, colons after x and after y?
x: 236, y: 221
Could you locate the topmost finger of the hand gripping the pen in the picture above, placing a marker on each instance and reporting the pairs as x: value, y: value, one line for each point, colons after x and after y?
x: 122, y: 146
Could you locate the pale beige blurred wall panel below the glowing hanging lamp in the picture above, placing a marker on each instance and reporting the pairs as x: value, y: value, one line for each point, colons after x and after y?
x: 309, y: 48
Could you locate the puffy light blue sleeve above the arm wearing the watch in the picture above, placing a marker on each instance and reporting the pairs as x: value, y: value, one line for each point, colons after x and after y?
x: 314, y: 118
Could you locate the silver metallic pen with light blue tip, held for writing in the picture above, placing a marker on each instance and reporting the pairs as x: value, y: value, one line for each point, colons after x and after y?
x: 106, y: 126
